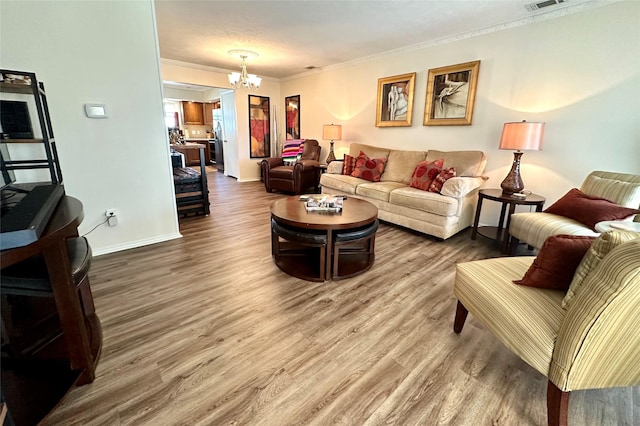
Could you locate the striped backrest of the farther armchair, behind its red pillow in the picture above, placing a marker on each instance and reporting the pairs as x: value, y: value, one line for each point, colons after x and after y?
x: 620, y: 188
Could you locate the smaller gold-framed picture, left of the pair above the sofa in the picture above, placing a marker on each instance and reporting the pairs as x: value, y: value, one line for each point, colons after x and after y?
x: 395, y: 100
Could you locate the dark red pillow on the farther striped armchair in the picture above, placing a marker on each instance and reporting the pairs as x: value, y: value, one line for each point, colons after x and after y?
x: 588, y: 209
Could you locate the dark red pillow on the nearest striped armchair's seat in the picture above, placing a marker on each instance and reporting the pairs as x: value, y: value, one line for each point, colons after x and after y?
x: 556, y: 262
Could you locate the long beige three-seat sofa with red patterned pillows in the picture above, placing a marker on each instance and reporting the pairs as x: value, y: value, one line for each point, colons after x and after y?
x: 441, y: 215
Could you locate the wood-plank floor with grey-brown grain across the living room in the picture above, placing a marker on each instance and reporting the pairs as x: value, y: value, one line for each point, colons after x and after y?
x: 206, y: 330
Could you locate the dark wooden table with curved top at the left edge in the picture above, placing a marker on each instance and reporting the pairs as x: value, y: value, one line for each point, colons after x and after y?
x: 34, y: 383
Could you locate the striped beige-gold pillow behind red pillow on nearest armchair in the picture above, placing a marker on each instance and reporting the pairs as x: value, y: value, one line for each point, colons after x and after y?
x: 598, y: 250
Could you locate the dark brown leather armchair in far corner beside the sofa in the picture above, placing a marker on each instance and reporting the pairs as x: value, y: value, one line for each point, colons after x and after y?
x: 296, y: 177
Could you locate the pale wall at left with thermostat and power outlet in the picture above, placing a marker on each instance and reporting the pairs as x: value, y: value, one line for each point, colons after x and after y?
x: 101, y: 52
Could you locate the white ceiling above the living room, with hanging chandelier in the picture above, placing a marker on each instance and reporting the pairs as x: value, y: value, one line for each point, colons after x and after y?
x: 292, y: 35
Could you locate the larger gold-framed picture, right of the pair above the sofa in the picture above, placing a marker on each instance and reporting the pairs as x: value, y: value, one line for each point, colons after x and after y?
x: 451, y: 95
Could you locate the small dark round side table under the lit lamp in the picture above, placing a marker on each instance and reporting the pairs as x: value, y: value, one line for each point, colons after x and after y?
x: 500, y: 233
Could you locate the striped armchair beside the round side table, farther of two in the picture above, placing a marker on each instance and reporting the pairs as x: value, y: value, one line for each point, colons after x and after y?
x: 533, y: 228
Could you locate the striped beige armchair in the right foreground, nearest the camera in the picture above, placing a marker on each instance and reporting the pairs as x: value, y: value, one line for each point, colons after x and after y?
x: 590, y: 341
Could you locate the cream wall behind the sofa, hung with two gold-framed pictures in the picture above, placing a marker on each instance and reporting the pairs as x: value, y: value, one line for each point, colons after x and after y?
x: 579, y: 73
